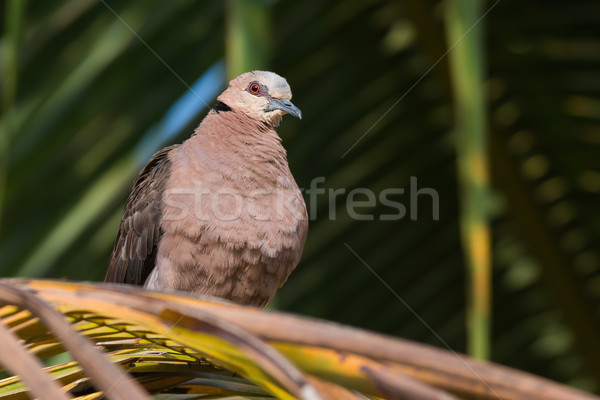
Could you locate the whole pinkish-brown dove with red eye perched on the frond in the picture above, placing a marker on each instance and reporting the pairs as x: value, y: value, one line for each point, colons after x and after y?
x: 219, y: 214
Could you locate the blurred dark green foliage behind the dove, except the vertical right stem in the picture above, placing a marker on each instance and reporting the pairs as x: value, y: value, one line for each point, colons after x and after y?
x: 81, y: 88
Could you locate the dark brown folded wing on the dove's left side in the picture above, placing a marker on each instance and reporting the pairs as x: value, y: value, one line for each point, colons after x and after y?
x: 134, y: 254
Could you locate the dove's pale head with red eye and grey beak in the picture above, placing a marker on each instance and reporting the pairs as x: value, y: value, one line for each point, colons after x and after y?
x: 262, y: 95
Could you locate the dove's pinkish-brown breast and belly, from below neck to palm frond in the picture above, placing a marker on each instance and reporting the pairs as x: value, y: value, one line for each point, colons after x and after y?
x: 233, y: 235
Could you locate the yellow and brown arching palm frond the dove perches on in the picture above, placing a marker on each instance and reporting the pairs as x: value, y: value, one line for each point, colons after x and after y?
x: 183, y: 347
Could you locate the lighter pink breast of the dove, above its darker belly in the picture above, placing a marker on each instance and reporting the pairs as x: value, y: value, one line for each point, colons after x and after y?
x: 253, y: 205
